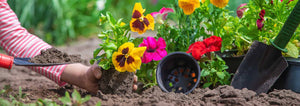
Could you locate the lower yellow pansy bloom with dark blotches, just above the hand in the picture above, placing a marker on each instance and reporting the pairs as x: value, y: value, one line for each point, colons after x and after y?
x: 128, y: 58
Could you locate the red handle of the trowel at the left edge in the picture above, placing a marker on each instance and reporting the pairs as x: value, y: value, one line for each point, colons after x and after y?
x: 6, y: 61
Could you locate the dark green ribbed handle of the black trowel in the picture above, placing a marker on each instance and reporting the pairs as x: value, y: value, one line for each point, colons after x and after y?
x: 288, y: 29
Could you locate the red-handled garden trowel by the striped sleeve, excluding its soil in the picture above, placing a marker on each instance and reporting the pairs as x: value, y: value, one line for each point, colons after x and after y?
x: 7, y: 62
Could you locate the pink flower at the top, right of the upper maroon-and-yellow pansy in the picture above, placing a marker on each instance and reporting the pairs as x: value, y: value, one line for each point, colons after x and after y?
x: 162, y: 14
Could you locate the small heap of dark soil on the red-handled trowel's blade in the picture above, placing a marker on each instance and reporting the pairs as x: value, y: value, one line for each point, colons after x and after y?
x: 53, y: 55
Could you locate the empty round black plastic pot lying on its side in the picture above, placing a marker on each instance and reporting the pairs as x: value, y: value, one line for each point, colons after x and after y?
x: 178, y: 72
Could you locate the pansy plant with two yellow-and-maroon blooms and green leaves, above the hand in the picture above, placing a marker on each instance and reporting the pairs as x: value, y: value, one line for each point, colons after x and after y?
x: 116, y: 48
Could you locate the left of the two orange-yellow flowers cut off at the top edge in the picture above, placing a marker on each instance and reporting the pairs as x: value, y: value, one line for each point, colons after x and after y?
x: 188, y: 6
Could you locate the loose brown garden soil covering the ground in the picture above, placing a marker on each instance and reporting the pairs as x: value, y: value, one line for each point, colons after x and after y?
x: 36, y: 86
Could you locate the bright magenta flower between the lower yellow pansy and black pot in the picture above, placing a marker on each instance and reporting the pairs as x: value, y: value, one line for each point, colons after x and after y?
x: 155, y: 49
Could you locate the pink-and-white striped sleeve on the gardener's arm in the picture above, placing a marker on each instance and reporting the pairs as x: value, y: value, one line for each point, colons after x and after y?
x: 18, y: 42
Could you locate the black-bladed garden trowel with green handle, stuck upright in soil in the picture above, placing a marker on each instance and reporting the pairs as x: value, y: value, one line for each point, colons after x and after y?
x: 263, y: 64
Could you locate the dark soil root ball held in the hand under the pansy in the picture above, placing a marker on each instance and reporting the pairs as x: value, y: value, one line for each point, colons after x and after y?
x: 115, y: 82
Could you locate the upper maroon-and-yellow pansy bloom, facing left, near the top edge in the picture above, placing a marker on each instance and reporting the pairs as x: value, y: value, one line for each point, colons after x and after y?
x: 139, y: 23
